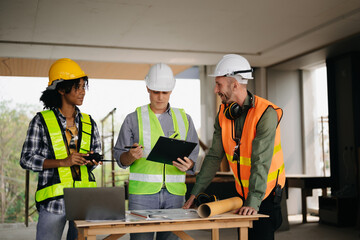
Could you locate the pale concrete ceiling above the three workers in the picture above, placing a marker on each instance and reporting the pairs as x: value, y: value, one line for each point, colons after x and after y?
x: 187, y: 32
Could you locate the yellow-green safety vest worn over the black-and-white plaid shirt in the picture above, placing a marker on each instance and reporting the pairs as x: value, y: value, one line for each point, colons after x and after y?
x: 63, y: 177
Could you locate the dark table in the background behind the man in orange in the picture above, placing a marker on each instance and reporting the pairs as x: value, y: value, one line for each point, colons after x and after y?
x: 307, y: 184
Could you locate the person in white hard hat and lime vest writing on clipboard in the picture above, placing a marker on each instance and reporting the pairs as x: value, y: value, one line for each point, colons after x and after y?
x: 154, y: 185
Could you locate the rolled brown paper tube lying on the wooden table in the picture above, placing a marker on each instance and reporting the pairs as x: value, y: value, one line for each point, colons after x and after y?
x: 218, y: 207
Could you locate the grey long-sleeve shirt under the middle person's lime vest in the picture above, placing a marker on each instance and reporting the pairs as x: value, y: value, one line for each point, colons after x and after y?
x: 129, y: 134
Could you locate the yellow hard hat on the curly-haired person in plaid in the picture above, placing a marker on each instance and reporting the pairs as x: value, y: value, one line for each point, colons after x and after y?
x: 64, y: 69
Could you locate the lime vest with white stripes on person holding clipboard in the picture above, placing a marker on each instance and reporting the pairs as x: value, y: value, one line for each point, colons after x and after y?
x: 147, y: 177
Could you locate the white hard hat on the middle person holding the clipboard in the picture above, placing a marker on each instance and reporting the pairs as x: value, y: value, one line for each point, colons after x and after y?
x: 160, y: 78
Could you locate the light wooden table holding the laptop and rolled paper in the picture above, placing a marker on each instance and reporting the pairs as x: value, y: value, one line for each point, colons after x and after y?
x: 116, y: 229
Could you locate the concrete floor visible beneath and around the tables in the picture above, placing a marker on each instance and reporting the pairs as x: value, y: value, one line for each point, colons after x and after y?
x: 308, y: 231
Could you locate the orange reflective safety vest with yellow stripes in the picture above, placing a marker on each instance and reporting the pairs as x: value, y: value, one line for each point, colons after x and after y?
x: 277, y: 168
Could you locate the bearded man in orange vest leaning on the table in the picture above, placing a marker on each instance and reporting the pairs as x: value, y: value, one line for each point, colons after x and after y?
x: 247, y: 132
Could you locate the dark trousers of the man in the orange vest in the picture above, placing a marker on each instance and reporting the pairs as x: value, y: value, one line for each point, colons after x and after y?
x: 264, y: 228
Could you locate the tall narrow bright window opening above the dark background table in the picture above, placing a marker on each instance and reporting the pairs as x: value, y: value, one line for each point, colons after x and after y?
x: 315, y: 128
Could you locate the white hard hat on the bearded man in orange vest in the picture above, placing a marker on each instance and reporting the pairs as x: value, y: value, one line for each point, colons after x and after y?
x: 232, y: 65
